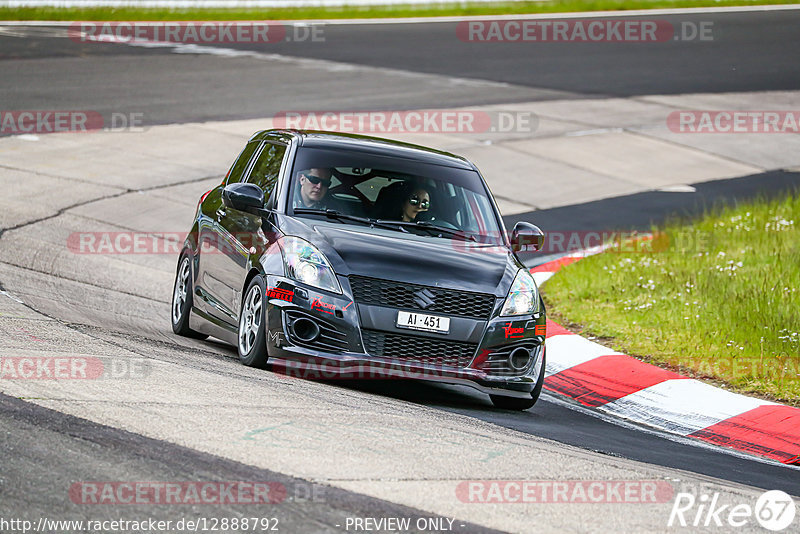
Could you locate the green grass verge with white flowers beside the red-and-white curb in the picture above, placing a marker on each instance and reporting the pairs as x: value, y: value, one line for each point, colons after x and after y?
x: 720, y: 302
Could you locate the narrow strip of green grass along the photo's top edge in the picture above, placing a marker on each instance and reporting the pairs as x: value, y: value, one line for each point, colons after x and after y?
x: 394, y: 11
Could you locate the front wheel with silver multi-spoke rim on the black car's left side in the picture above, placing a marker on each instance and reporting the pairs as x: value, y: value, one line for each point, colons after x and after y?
x: 253, y: 325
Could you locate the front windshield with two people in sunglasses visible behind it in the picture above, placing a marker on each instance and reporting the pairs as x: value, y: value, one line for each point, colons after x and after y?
x: 407, y: 194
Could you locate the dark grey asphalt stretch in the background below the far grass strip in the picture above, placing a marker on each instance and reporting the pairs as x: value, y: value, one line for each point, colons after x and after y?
x: 750, y: 52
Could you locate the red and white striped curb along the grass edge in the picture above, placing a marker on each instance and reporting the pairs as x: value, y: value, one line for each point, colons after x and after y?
x: 621, y: 386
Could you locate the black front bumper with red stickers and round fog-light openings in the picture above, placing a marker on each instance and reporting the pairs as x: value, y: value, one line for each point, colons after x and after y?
x: 340, y: 352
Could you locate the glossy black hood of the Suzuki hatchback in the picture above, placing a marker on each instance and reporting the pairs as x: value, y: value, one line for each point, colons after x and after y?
x: 425, y: 260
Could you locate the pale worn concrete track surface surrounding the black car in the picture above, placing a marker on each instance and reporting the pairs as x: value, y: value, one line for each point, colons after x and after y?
x: 196, y: 394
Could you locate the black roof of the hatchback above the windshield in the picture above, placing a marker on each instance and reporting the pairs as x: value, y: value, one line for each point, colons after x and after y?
x: 365, y: 143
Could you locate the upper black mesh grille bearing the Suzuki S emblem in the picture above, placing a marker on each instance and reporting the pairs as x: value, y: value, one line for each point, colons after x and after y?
x: 403, y: 295
